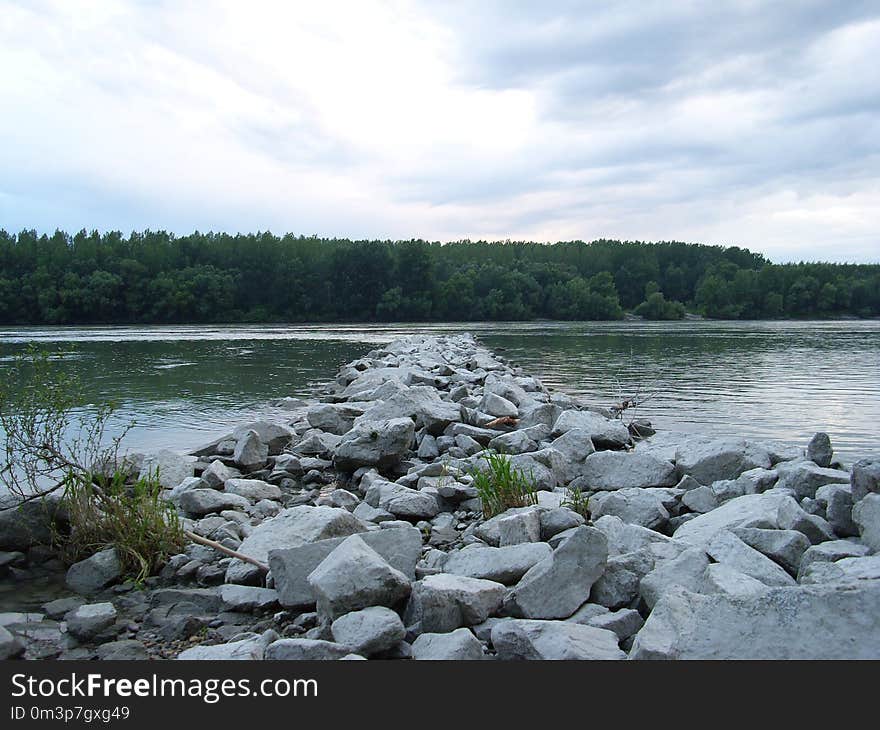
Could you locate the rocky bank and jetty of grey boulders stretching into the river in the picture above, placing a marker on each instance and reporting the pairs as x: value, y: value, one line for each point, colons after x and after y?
x: 363, y: 507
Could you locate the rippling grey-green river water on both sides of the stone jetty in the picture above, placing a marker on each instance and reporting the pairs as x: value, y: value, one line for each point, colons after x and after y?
x: 184, y: 385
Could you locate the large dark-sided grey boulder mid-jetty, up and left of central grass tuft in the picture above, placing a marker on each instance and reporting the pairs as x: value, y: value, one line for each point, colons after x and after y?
x: 374, y: 443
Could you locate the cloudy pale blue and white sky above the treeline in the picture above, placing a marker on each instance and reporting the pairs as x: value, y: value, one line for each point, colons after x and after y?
x: 747, y: 123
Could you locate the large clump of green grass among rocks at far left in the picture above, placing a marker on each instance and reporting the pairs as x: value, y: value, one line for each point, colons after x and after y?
x: 144, y: 529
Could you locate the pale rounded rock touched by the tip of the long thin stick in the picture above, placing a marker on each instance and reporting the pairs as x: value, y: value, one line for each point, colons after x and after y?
x: 290, y: 528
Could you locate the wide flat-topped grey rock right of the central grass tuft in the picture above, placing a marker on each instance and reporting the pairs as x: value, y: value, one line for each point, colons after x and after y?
x: 609, y: 470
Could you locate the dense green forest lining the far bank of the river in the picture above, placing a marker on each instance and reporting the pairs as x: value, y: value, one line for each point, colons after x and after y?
x: 159, y: 277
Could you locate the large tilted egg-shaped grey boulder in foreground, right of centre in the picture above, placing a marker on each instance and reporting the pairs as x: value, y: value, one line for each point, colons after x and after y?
x: 558, y: 585
